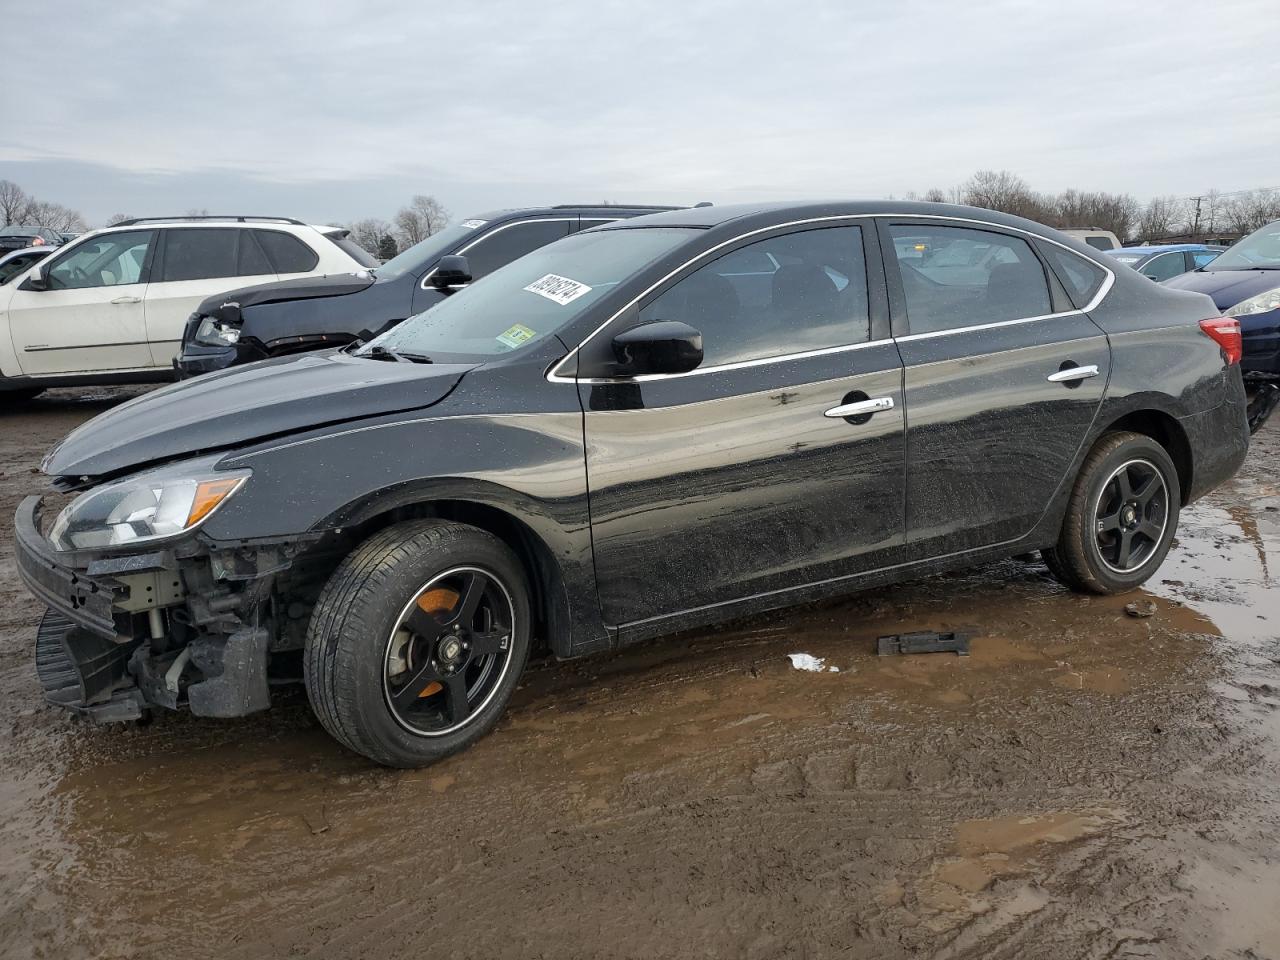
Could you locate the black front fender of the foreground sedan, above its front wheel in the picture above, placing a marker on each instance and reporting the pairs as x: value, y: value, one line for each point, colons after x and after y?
x: 528, y: 467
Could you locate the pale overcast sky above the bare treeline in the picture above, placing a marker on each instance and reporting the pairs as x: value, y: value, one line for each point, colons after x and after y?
x: 332, y: 112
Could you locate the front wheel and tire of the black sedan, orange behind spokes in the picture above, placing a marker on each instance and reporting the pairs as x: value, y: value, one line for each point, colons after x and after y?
x: 418, y: 642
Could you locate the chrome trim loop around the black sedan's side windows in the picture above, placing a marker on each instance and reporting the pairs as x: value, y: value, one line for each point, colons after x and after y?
x: 554, y: 374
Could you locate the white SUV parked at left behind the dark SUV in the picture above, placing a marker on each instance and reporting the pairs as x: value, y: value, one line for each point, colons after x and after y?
x: 111, y: 307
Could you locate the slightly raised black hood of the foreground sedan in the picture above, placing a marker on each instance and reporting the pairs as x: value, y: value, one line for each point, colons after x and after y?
x: 248, y: 404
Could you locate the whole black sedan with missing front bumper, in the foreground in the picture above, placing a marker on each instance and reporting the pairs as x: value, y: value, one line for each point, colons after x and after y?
x: 639, y: 429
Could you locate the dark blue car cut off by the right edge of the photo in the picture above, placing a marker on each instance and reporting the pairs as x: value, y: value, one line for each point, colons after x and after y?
x: 1245, y: 284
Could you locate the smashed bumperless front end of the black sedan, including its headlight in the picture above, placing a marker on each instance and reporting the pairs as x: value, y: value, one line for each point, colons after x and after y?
x: 144, y: 612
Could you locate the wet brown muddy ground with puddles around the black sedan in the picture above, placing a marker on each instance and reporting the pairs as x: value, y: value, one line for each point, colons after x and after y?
x: 1085, y: 785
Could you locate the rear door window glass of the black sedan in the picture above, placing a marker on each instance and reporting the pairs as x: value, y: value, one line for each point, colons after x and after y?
x: 957, y: 277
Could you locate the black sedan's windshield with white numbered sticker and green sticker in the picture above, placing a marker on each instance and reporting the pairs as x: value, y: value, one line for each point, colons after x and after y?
x: 532, y: 298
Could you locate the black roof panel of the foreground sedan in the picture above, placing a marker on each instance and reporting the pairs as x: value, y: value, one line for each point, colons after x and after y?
x: 764, y: 216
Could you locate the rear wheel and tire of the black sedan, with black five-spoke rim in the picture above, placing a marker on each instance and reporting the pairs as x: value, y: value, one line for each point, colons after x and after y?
x: 1121, y: 519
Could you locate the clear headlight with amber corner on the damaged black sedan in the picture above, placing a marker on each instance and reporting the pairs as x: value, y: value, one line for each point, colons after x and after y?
x: 144, y: 509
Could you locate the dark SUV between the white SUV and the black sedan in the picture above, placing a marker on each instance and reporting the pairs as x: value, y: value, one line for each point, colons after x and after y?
x: 276, y: 319
